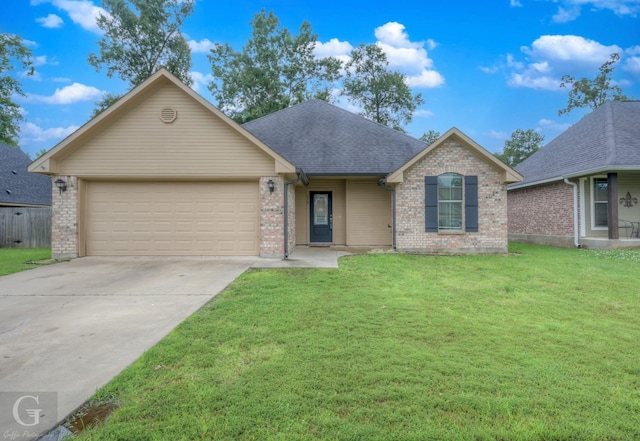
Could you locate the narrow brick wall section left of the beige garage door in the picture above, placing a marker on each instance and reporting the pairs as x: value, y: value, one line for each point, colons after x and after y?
x: 64, y: 219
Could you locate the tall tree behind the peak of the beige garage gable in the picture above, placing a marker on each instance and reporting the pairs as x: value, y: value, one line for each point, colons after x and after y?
x: 140, y: 36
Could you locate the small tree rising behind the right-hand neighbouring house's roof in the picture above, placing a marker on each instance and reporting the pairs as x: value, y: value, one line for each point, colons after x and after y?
x: 592, y: 93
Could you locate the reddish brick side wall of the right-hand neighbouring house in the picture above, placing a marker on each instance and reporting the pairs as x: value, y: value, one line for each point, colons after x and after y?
x: 542, y: 214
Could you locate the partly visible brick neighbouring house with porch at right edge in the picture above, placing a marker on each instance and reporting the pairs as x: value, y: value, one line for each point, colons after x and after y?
x: 582, y: 189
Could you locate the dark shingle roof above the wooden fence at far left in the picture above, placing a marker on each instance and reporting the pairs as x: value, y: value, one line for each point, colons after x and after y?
x: 17, y: 185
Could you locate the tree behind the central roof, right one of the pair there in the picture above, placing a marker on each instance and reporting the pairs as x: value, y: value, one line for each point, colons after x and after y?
x: 383, y: 94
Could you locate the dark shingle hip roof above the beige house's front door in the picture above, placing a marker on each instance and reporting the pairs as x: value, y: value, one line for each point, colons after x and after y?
x: 323, y: 139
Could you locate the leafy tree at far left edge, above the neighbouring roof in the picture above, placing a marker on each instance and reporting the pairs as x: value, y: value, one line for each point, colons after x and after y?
x: 13, y: 55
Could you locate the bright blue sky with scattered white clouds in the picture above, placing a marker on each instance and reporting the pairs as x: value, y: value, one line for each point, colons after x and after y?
x: 485, y: 67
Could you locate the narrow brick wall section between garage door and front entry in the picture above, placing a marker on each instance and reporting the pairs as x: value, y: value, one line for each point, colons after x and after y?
x: 272, y: 217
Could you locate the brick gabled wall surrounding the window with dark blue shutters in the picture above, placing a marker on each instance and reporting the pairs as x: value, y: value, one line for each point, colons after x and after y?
x: 452, y: 157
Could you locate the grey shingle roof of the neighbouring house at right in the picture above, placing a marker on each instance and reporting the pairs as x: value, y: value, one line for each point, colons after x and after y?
x: 607, y: 139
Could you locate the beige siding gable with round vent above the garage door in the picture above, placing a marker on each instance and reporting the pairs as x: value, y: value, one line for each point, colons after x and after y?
x: 197, y: 144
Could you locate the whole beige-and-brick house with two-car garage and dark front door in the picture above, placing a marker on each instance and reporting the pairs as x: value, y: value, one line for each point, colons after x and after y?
x: 163, y: 172
